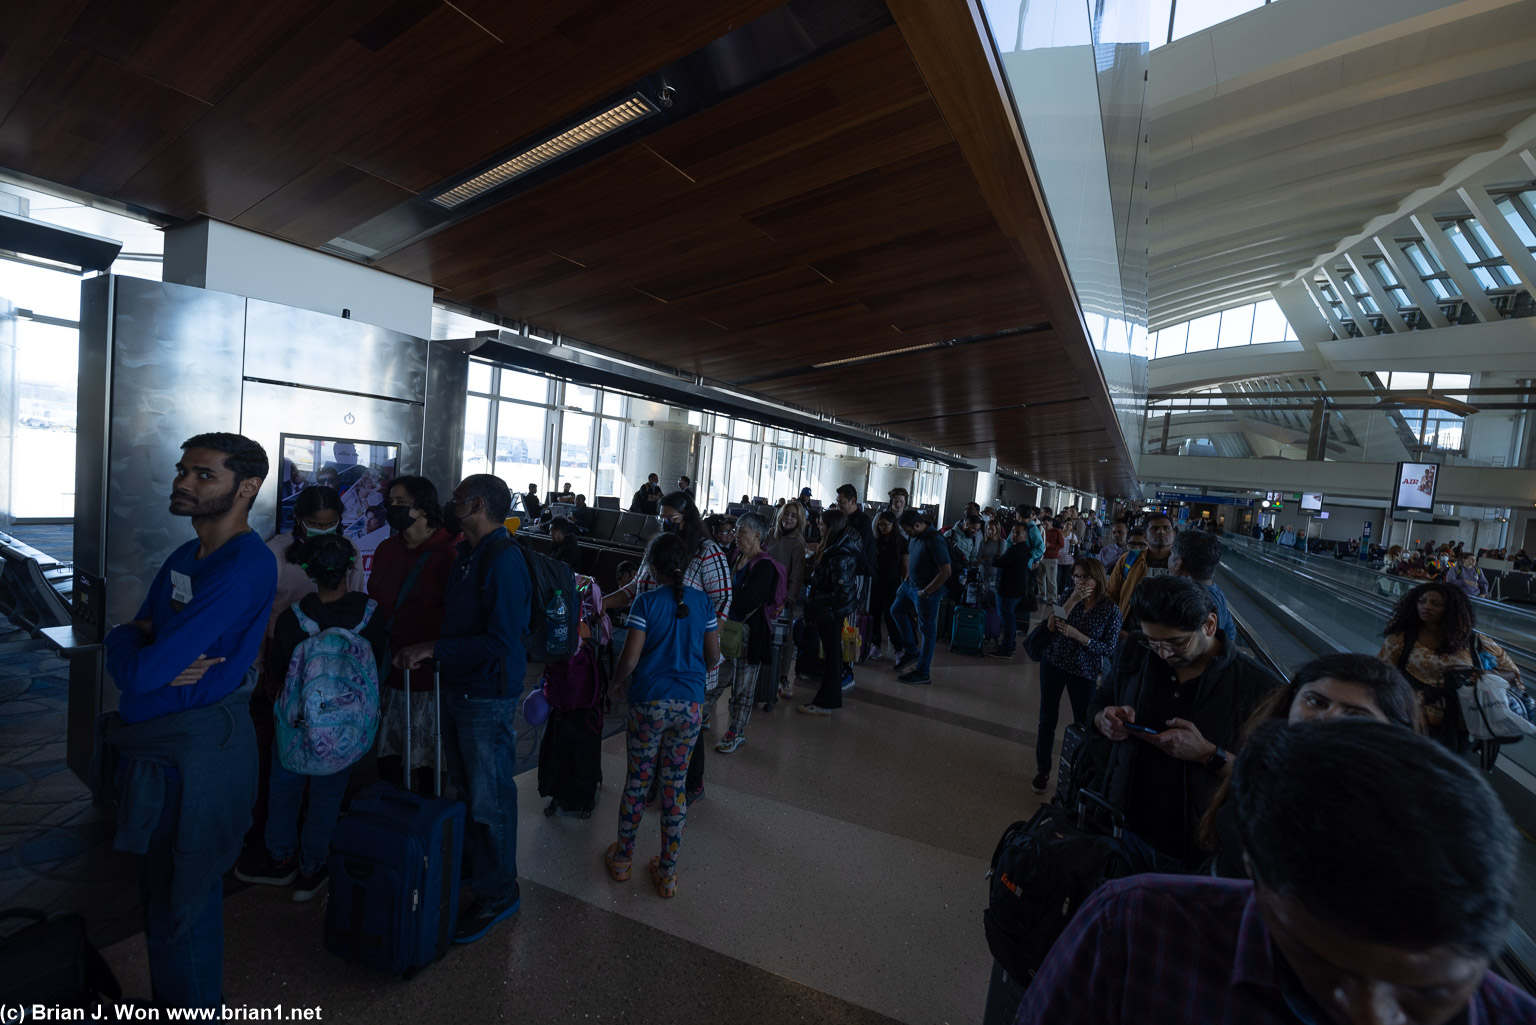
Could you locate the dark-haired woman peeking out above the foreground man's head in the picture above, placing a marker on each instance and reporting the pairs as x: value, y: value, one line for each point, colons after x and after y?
x: 1342, y: 686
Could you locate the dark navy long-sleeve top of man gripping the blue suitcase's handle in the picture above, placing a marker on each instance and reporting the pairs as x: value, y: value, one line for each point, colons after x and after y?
x: 483, y: 626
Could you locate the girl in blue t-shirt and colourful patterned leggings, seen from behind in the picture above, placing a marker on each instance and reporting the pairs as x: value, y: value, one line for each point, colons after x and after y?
x: 674, y: 642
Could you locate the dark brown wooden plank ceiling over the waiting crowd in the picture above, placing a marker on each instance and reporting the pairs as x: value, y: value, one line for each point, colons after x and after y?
x: 827, y: 214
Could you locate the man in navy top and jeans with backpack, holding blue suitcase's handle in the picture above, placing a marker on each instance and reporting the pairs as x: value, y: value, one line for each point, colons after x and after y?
x: 486, y: 617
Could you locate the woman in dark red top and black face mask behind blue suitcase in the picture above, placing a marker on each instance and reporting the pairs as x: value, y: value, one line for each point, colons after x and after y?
x: 409, y: 579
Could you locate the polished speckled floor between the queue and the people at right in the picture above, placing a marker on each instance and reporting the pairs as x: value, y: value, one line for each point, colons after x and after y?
x: 835, y: 872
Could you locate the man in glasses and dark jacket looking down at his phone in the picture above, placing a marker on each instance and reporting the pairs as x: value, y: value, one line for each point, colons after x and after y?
x: 1171, y: 712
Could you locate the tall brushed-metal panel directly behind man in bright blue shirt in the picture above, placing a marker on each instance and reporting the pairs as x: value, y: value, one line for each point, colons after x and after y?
x: 177, y: 354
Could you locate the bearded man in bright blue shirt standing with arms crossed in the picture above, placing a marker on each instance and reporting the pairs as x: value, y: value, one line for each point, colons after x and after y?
x: 180, y: 754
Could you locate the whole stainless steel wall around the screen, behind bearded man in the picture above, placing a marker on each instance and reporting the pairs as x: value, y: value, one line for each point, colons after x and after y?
x: 161, y: 363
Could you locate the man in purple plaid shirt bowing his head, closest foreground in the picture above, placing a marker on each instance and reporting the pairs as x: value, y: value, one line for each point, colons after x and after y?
x: 1382, y: 883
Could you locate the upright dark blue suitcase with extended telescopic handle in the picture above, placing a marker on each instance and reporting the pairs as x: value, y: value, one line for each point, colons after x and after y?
x: 396, y: 871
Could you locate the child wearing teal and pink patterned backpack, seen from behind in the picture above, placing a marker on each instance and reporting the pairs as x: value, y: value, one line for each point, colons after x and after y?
x: 328, y: 651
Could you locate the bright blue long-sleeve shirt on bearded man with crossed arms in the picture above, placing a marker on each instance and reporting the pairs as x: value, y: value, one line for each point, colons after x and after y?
x: 216, y: 606
